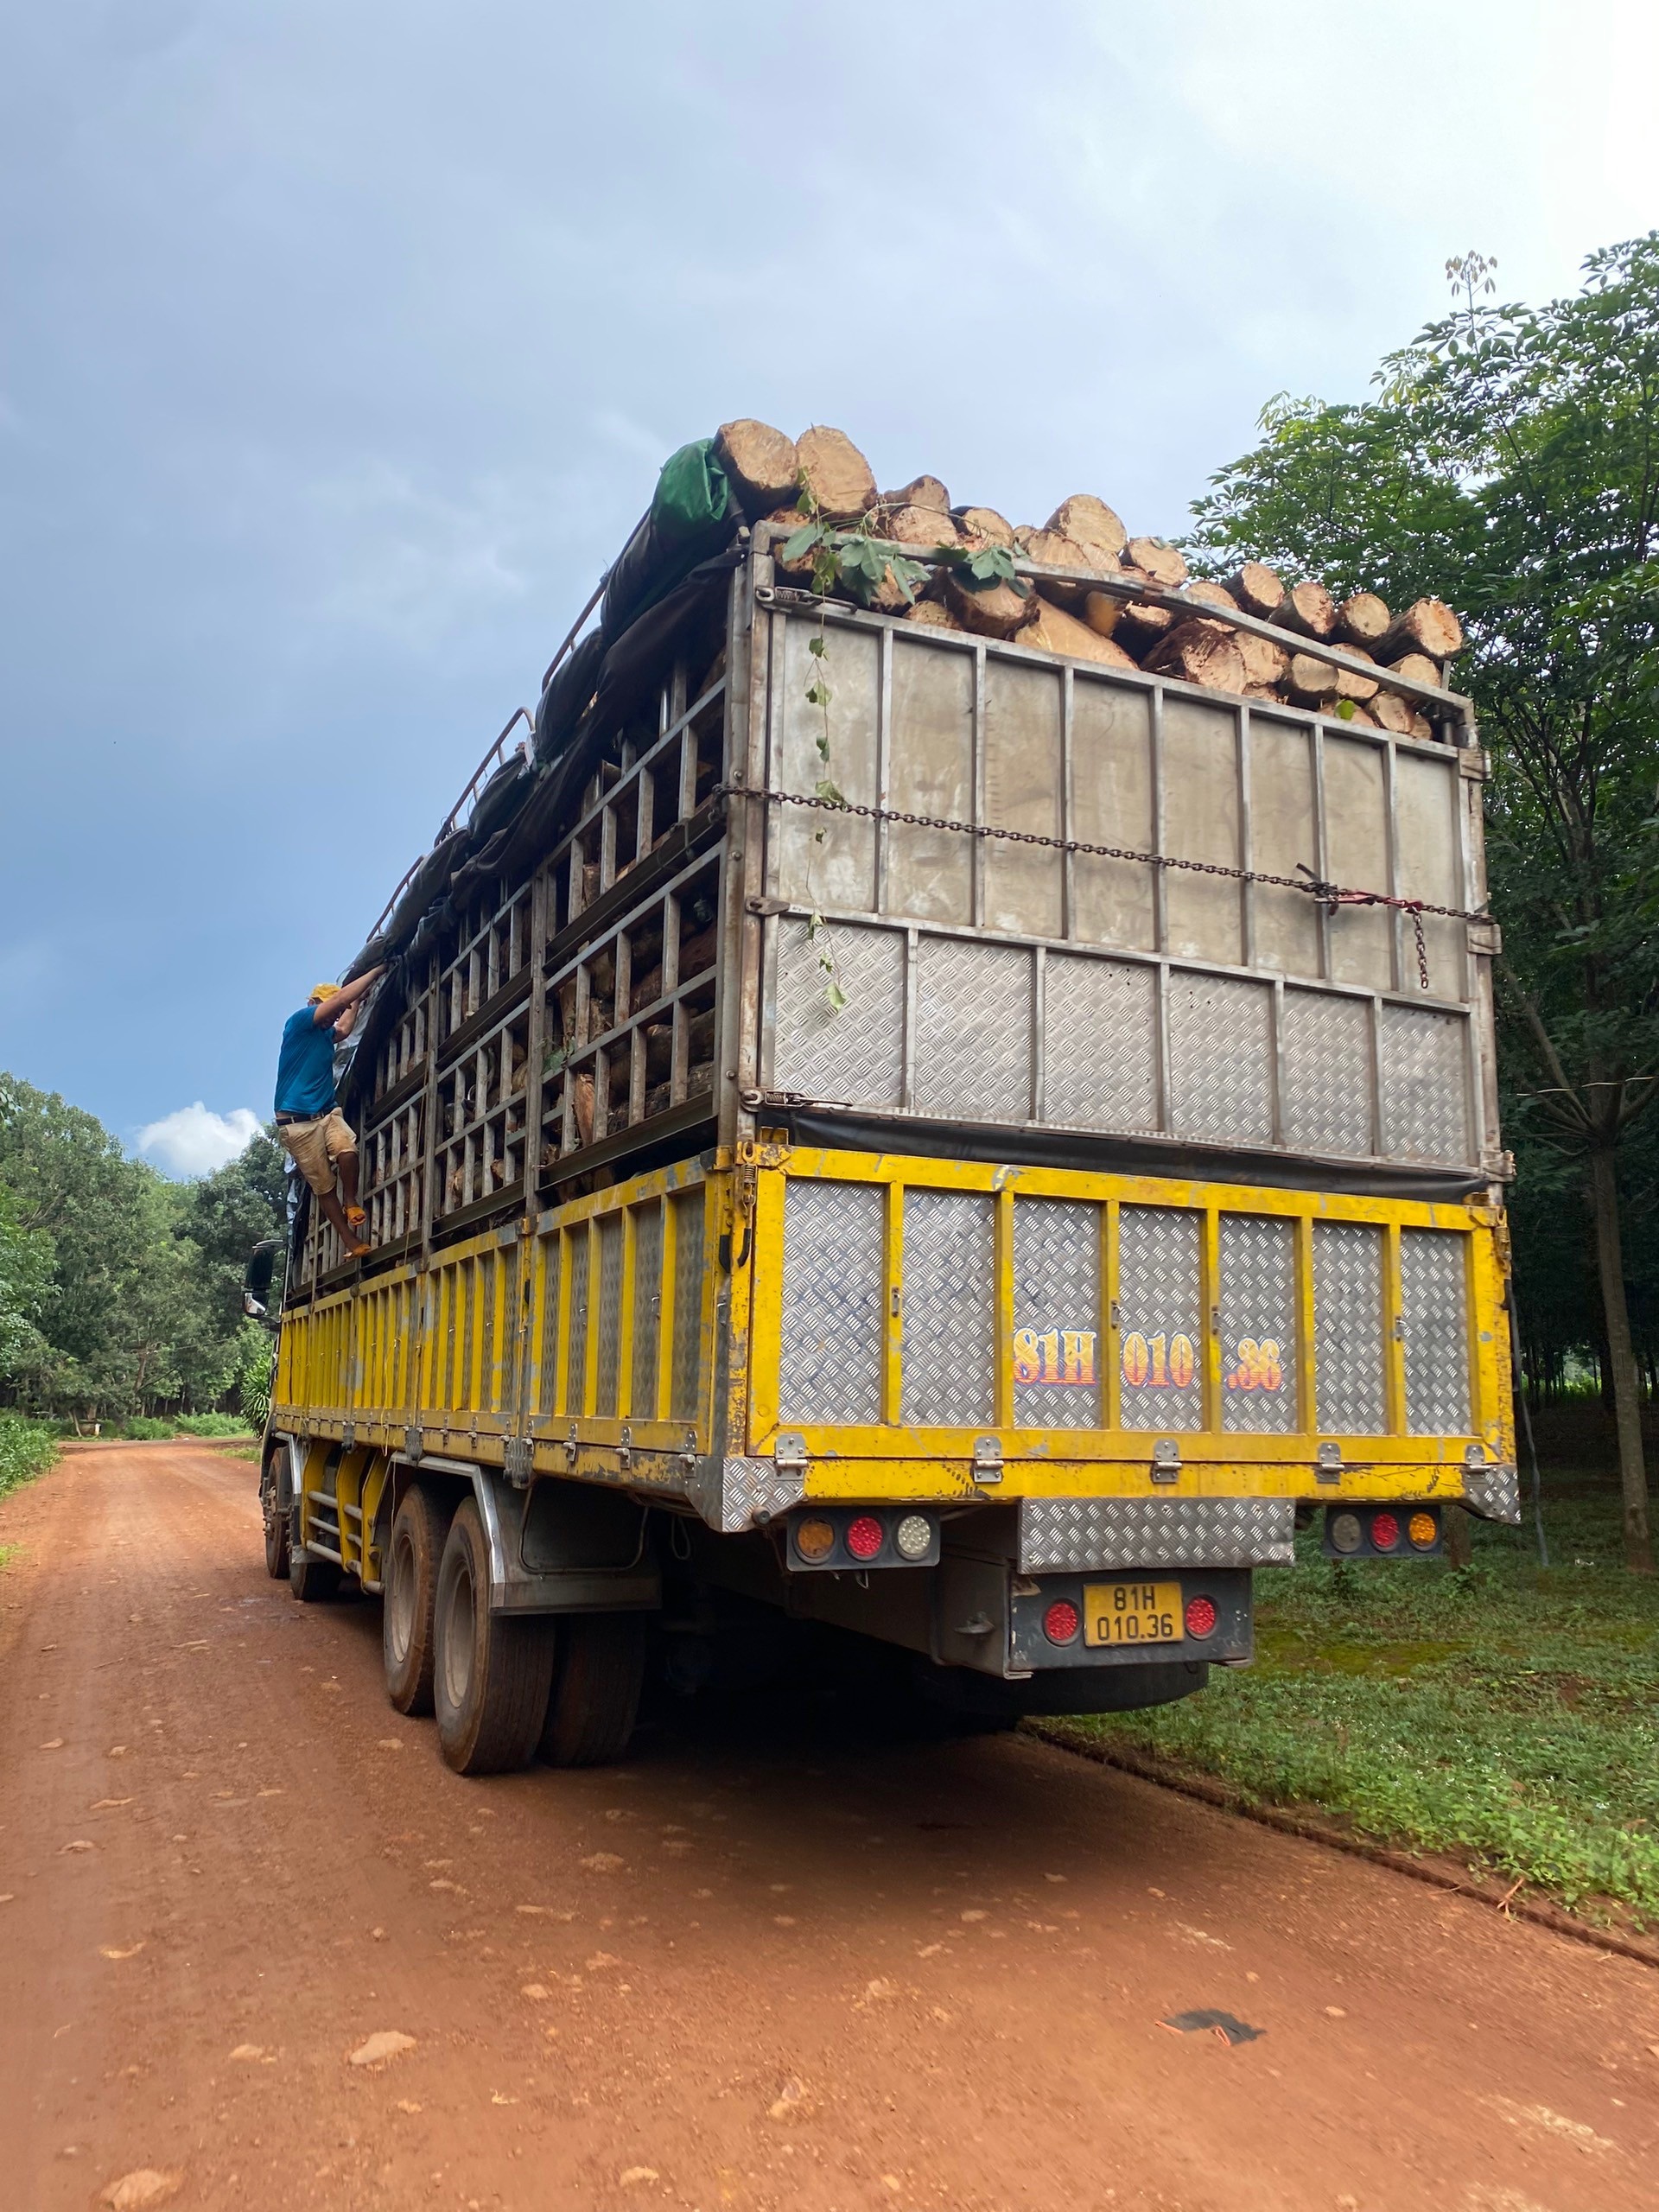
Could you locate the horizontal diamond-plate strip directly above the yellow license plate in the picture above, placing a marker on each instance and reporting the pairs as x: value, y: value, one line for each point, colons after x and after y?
x: 1070, y: 1534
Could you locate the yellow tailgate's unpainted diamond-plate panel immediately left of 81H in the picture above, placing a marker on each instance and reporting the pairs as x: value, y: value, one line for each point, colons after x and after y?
x: 950, y: 1308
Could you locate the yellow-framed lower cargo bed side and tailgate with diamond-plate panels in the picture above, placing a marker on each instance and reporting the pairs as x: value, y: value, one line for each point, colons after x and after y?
x: 682, y: 1337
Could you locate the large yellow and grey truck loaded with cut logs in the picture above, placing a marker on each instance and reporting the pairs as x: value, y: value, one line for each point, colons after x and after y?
x: 952, y: 1100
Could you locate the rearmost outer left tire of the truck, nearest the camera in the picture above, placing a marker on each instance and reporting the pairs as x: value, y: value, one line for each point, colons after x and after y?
x: 492, y: 1671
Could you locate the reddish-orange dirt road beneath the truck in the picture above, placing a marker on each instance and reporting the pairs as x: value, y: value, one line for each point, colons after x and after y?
x: 747, y: 1970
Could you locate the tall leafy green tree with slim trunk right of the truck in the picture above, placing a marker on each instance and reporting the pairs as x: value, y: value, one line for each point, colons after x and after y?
x: 1510, y: 466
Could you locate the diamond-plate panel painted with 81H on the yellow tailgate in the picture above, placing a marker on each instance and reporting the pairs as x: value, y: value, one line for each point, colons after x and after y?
x: 1056, y: 1315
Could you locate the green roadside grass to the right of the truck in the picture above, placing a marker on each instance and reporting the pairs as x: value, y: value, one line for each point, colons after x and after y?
x: 1505, y: 1713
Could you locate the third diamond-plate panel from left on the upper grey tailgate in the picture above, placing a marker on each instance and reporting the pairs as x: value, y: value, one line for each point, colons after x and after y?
x: 1100, y: 1043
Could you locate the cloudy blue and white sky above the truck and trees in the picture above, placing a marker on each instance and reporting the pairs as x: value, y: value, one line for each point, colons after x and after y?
x: 340, y: 351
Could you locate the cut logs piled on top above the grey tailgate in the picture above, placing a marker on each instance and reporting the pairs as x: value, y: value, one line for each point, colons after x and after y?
x: 1085, y: 614
